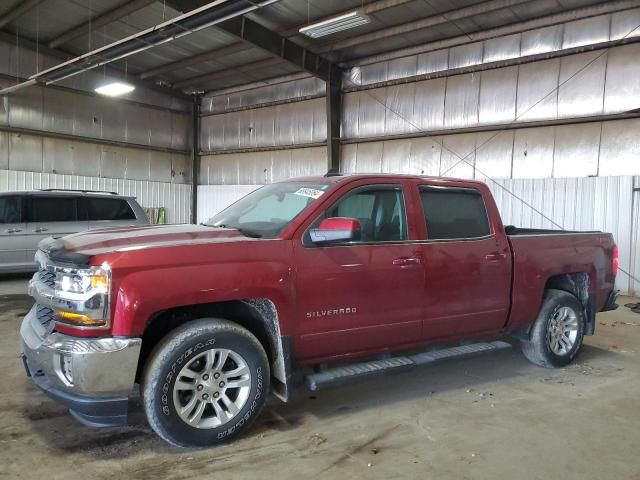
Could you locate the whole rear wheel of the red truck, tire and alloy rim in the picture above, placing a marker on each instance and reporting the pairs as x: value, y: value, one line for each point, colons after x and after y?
x: 557, y: 334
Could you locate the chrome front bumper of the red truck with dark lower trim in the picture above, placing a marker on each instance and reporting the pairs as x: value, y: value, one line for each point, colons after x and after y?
x: 92, y: 376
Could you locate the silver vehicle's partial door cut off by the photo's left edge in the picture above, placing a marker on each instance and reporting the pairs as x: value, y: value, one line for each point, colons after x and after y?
x: 13, y: 228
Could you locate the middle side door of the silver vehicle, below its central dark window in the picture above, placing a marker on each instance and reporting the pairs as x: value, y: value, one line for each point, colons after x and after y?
x: 54, y: 215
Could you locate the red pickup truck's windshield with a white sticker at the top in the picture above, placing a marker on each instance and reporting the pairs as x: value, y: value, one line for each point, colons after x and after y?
x: 266, y: 212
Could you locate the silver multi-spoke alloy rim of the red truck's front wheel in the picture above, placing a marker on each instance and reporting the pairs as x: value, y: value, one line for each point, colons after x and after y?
x: 212, y: 388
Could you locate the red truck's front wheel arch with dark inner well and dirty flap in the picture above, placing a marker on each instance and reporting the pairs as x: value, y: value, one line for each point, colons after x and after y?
x: 258, y: 315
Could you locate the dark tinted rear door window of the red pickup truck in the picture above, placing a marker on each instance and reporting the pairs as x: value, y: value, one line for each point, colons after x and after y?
x: 454, y: 213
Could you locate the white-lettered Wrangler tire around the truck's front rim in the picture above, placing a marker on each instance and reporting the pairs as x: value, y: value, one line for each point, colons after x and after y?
x: 184, y: 346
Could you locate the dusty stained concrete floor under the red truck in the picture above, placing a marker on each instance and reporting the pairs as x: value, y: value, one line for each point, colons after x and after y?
x: 488, y: 417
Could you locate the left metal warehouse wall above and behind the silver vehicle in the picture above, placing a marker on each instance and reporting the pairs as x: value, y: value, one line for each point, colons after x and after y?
x: 59, y: 138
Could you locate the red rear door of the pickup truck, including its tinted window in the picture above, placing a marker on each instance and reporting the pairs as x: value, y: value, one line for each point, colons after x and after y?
x: 467, y: 266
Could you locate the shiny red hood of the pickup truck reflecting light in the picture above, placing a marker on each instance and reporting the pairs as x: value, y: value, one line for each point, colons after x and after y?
x: 109, y: 240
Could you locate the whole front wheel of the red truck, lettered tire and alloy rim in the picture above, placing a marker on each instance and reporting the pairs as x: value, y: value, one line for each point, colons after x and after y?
x: 205, y: 383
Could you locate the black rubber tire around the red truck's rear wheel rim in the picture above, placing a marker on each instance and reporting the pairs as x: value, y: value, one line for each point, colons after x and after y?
x: 538, y: 349
